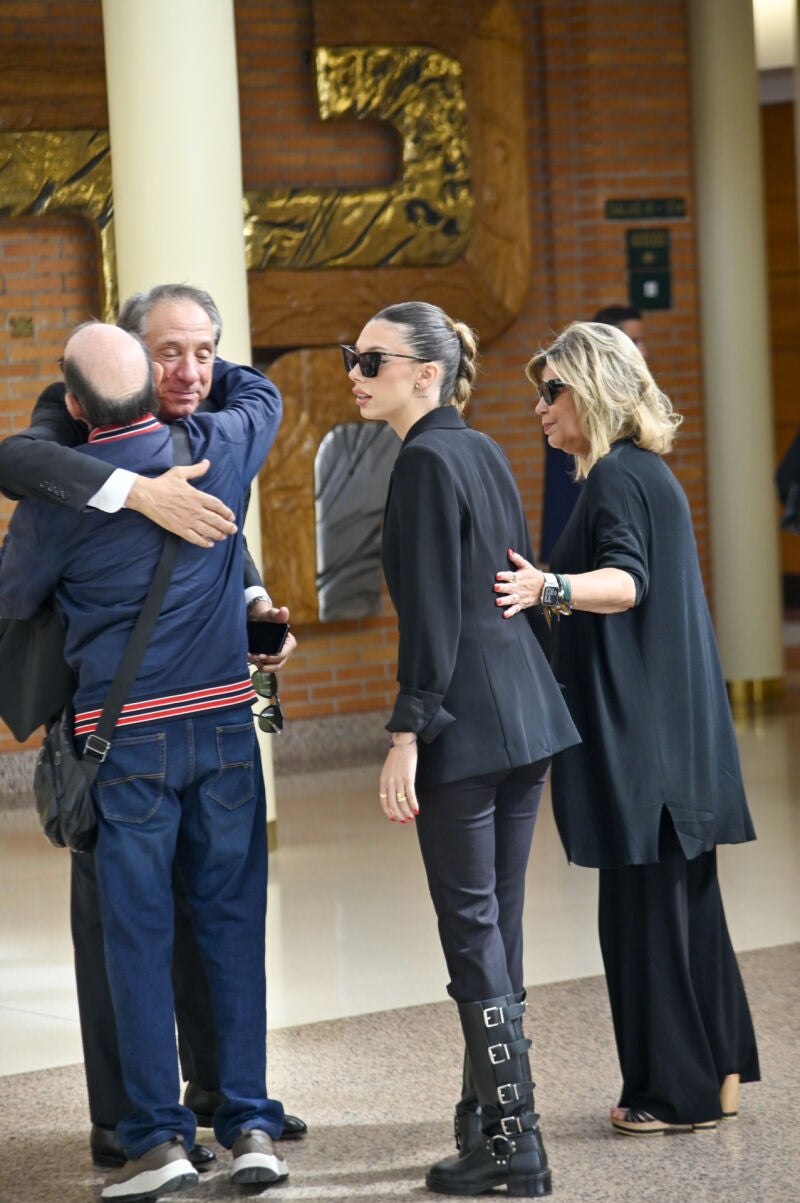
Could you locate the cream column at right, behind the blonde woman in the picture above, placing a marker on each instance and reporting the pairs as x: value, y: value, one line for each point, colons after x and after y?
x: 746, y: 582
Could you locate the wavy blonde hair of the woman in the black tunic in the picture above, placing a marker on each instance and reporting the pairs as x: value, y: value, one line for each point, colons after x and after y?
x: 614, y: 393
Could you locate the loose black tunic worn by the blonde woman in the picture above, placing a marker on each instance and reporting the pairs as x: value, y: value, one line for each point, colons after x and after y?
x: 645, y: 688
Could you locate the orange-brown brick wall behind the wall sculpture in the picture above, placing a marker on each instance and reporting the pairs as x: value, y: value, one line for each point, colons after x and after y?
x: 608, y: 116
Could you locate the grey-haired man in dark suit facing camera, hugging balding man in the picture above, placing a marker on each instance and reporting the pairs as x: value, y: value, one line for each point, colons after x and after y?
x: 181, y: 327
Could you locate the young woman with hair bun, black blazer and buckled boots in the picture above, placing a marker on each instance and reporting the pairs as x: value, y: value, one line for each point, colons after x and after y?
x: 477, y: 719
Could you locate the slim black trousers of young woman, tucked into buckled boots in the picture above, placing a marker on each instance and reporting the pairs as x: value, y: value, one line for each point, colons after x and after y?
x: 476, y: 840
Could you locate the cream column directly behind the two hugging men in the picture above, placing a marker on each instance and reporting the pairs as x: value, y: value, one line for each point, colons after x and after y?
x: 174, y: 111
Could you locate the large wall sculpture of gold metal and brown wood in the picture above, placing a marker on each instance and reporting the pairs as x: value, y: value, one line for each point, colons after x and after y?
x: 473, y: 258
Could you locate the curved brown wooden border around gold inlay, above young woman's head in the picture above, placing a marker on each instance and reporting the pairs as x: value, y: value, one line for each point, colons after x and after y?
x: 487, y: 286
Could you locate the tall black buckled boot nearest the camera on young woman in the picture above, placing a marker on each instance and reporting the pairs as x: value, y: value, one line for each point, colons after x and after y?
x: 511, y: 1153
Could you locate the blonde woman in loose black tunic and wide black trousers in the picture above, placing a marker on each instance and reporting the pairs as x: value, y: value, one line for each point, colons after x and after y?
x: 656, y: 784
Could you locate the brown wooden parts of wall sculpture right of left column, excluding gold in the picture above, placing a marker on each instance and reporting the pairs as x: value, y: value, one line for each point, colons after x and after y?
x: 487, y: 286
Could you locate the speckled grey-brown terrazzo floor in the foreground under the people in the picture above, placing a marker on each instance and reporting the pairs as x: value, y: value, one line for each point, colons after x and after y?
x: 378, y: 1093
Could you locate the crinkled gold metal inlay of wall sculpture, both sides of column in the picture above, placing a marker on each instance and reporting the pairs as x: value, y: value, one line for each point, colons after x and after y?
x: 423, y: 220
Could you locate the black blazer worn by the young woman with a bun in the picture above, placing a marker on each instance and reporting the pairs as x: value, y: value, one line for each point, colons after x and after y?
x: 475, y: 686
